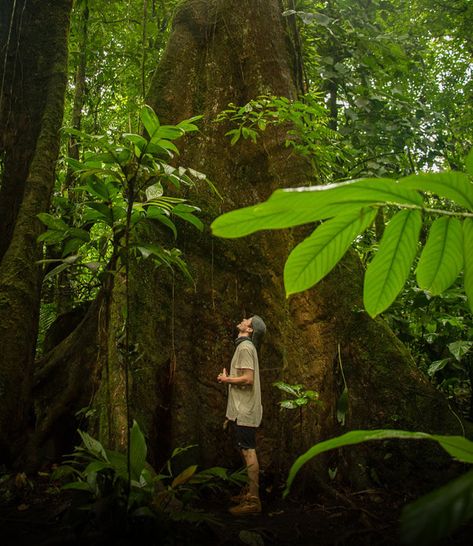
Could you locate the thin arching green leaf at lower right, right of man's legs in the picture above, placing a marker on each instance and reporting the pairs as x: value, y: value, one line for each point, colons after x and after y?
x: 457, y: 446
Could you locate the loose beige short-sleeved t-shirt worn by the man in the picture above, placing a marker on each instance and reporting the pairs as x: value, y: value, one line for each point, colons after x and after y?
x: 244, y: 401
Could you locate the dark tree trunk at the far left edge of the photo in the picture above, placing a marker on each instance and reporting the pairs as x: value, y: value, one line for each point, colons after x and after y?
x: 33, y: 75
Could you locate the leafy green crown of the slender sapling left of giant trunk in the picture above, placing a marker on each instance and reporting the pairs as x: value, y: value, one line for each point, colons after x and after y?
x: 122, y: 184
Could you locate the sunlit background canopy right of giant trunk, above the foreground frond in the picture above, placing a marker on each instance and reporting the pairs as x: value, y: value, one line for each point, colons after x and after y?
x: 397, y: 81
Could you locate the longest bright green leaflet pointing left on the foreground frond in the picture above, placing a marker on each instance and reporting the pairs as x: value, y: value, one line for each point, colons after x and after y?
x: 296, y: 206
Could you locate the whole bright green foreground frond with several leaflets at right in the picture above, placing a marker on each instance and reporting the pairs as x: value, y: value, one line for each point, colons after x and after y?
x: 348, y: 208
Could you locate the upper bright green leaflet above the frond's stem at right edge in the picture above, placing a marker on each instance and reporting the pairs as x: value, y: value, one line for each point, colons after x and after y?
x: 452, y: 185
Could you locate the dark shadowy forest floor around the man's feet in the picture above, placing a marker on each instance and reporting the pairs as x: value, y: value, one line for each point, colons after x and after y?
x: 35, y: 513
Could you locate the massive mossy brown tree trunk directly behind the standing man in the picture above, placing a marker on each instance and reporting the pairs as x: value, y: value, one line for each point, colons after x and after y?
x: 223, y: 51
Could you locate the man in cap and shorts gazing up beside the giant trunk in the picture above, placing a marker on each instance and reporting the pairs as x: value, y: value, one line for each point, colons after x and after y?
x: 244, y: 409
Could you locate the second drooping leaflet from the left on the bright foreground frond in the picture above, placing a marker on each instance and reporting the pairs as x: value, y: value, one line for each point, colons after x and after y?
x: 388, y: 271
